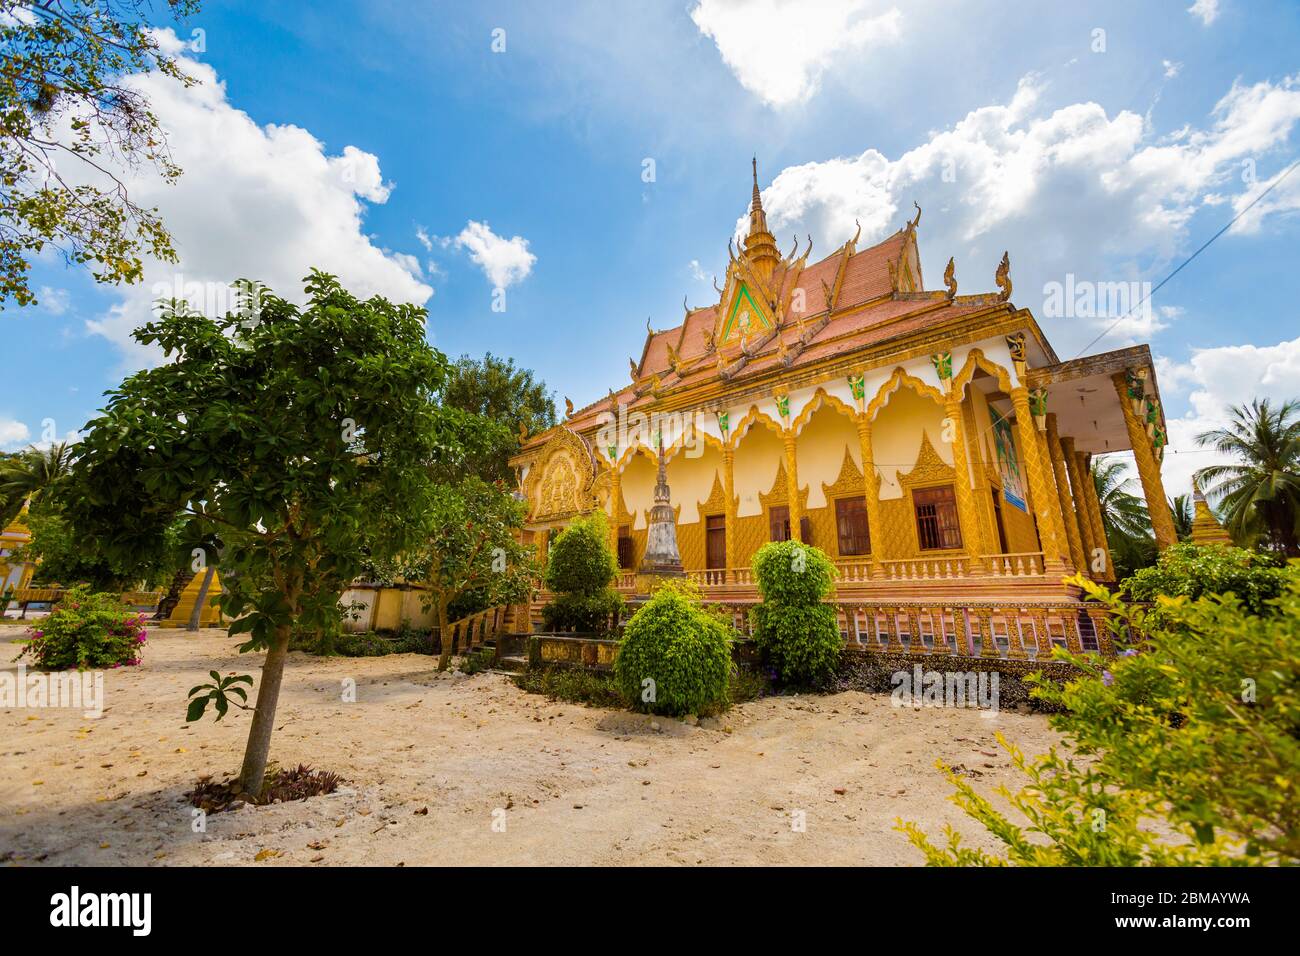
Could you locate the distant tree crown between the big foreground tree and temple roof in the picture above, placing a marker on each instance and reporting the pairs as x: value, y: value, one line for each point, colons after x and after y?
x: 499, y: 391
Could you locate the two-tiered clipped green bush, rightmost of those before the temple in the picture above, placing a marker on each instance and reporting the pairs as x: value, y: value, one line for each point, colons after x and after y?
x: 796, y: 633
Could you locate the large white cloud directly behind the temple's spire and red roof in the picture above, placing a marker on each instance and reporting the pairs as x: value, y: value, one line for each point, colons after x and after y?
x: 1071, y: 192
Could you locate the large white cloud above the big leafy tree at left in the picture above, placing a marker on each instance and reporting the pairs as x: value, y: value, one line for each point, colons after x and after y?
x: 255, y: 202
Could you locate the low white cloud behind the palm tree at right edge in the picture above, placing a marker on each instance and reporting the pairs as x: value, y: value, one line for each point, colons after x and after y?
x: 1214, y: 380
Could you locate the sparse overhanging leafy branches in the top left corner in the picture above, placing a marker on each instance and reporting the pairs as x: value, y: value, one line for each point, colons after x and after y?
x: 72, y: 123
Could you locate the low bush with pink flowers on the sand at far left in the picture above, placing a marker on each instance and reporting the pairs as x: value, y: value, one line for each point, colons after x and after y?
x: 88, y: 631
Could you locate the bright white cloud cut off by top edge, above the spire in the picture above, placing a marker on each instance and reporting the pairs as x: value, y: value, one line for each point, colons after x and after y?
x: 779, y: 49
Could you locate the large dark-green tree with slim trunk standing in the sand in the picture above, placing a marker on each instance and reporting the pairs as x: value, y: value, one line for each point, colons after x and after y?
x: 288, y: 432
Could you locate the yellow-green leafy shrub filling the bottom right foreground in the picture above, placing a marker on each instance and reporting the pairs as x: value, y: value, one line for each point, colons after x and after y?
x: 1191, y: 739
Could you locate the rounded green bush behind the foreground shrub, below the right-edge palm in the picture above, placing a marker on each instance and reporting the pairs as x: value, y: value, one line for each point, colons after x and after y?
x: 1189, y: 570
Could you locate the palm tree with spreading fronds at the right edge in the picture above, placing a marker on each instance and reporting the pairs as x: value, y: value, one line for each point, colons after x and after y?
x: 1260, y: 496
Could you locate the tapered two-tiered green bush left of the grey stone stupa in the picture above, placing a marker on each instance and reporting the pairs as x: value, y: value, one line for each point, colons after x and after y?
x: 580, y: 569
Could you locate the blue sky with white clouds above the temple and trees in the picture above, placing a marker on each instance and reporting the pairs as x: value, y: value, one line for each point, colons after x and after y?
x: 397, y: 148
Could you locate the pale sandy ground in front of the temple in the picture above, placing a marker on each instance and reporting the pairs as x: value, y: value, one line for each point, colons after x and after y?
x: 434, y: 762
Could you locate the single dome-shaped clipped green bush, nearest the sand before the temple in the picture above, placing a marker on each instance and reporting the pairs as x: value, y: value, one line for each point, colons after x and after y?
x: 675, y: 657
